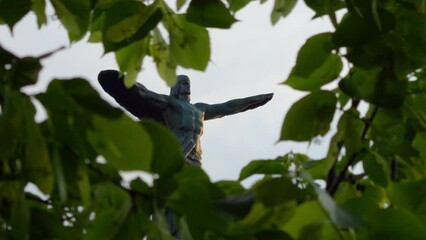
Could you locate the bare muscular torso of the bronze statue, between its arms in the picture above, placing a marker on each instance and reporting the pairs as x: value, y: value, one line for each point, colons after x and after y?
x: 186, y: 121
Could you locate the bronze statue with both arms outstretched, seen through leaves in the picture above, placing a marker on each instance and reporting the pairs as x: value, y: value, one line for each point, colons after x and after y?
x: 175, y: 111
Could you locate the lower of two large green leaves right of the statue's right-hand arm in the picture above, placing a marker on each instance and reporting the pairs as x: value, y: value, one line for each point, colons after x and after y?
x: 309, y: 117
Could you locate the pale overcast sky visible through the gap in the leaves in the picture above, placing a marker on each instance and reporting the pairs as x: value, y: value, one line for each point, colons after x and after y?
x: 251, y: 58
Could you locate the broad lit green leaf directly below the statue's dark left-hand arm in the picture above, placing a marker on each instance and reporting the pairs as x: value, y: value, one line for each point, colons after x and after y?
x: 124, y: 143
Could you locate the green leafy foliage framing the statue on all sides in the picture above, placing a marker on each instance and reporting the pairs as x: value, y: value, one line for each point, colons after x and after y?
x: 370, y: 185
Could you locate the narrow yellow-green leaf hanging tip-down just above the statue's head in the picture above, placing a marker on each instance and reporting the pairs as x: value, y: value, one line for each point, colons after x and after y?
x: 166, y: 65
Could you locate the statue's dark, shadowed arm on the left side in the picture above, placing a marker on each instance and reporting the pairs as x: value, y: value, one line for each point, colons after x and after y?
x: 132, y: 99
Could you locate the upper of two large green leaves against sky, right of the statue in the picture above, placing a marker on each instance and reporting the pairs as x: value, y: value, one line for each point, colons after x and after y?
x: 310, y: 73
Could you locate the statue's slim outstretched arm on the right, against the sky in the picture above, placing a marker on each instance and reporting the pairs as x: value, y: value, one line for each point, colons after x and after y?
x: 234, y: 106
